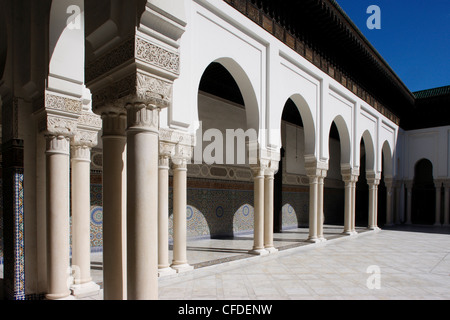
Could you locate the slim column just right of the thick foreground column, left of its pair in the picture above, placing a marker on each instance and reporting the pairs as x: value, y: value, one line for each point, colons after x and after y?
x: 163, y: 216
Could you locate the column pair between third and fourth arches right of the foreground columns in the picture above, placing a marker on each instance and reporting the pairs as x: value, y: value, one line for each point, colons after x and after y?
x: 350, y: 178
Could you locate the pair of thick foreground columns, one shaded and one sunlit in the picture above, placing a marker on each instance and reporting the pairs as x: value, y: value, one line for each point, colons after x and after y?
x: 130, y: 195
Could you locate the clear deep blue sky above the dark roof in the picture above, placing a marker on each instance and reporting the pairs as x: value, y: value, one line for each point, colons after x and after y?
x: 414, y: 38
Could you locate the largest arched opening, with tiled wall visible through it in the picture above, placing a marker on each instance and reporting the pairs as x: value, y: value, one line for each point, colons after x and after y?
x: 220, y: 187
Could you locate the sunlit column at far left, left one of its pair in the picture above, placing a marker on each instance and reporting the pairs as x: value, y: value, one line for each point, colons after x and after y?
x: 58, y: 229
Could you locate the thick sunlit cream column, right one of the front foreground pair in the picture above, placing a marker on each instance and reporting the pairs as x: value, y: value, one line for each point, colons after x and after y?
x: 142, y: 201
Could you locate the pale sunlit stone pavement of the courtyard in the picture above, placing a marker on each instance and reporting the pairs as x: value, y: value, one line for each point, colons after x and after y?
x: 401, y: 263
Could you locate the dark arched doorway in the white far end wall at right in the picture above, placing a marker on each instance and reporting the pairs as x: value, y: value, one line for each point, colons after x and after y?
x: 423, y: 194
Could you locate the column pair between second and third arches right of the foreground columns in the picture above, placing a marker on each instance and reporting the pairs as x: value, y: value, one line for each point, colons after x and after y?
x: 316, y: 173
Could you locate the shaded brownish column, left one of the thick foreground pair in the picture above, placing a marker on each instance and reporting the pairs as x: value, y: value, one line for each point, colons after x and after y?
x: 114, y: 204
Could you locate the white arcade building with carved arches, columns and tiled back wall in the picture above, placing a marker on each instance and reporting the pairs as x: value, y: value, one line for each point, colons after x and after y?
x: 125, y: 123
